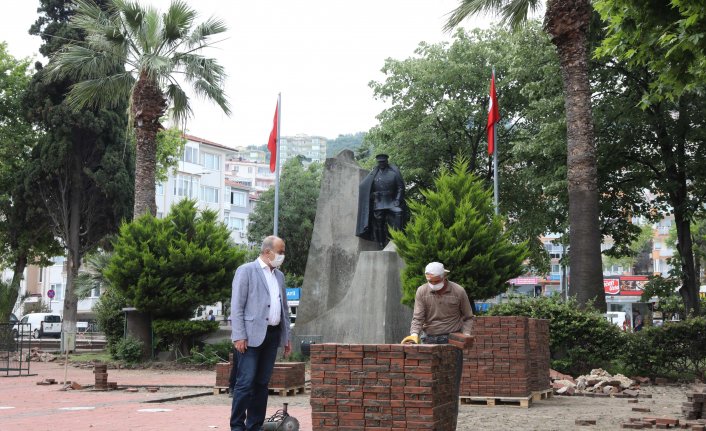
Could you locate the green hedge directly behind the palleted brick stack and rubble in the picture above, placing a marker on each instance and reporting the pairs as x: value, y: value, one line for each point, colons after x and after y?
x: 579, y: 339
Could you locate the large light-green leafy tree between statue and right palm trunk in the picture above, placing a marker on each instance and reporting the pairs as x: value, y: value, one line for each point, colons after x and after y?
x: 439, y: 109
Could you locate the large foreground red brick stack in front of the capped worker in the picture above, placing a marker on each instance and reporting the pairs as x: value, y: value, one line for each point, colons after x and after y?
x: 383, y: 386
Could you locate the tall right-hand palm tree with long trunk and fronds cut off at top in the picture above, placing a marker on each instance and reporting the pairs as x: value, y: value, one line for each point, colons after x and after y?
x: 567, y: 23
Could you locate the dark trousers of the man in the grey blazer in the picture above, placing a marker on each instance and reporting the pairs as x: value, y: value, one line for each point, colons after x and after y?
x: 254, y: 371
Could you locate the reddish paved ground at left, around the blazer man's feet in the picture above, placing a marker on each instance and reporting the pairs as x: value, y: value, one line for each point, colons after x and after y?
x: 24, y: 405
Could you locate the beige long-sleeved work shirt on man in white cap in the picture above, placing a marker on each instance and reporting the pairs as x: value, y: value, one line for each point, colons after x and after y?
x: 441, y: 313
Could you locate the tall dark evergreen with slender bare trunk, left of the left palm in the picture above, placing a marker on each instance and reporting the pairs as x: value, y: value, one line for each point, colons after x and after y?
x: 82, y: 166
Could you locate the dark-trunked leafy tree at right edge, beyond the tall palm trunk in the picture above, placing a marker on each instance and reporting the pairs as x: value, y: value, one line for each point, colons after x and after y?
x: 658, y: 147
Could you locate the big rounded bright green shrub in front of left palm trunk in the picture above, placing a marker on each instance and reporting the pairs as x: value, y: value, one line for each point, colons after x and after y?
x: 167, y: 267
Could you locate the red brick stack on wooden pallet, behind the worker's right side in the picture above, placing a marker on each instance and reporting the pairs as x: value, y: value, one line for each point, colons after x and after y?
x: 509, y: 358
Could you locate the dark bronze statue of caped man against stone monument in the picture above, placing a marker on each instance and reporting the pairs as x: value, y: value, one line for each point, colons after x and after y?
x: 381, y: 202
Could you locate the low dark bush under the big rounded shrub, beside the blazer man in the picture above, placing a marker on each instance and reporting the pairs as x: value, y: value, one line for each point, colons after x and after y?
x: 181, y: 335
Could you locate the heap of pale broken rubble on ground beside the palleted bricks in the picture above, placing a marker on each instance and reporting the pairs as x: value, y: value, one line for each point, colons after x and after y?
x: 598, y: 383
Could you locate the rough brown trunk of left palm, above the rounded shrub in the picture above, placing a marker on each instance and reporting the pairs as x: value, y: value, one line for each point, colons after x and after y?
x: 148, y: 105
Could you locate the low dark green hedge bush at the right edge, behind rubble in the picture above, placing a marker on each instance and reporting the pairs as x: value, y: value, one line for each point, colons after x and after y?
x: 676, y: 350
